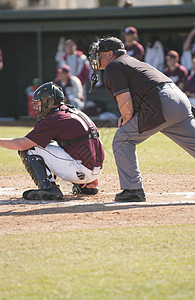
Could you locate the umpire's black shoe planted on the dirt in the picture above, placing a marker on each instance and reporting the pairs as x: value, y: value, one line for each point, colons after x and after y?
x: 131, y: 196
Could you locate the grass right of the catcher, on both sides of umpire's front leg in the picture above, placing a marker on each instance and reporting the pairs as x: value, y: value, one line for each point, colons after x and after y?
x: 157, y: 155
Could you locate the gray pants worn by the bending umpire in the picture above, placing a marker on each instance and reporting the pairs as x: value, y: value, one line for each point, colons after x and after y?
x: 179, y: 127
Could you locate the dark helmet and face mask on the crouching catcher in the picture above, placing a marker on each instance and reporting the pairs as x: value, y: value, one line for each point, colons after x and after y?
x: 47, y: 95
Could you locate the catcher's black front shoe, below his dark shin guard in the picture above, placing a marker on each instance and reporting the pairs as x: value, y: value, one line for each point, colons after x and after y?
x: 42, y: 194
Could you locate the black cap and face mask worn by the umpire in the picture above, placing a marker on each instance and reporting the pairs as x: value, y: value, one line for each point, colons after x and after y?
x: 103, y: 45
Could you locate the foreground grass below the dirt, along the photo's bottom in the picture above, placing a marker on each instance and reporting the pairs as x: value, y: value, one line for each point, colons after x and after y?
x: 127, y: 263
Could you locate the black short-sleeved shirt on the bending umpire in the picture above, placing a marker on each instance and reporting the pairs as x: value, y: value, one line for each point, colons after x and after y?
x: 127, y: 74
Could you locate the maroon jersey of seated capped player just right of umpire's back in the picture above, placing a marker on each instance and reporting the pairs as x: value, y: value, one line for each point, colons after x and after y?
x: 178, y: 75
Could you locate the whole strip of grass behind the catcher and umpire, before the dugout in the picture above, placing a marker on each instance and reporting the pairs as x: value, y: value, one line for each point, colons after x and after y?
x: 156, y: 155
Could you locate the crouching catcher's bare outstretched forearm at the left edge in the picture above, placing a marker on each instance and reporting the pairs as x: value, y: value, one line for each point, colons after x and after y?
x: 17, y: 143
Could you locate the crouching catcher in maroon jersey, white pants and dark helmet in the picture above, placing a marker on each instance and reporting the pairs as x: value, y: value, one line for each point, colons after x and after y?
x: 63, y: 143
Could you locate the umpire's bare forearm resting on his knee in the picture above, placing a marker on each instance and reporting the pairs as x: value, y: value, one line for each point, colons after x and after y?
x: 125, y: 106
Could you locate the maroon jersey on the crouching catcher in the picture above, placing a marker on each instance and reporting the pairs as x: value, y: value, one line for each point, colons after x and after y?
x: 60, y: 126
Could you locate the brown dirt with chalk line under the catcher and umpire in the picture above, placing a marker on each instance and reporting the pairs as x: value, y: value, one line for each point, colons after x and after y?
x: 170, y: 200
